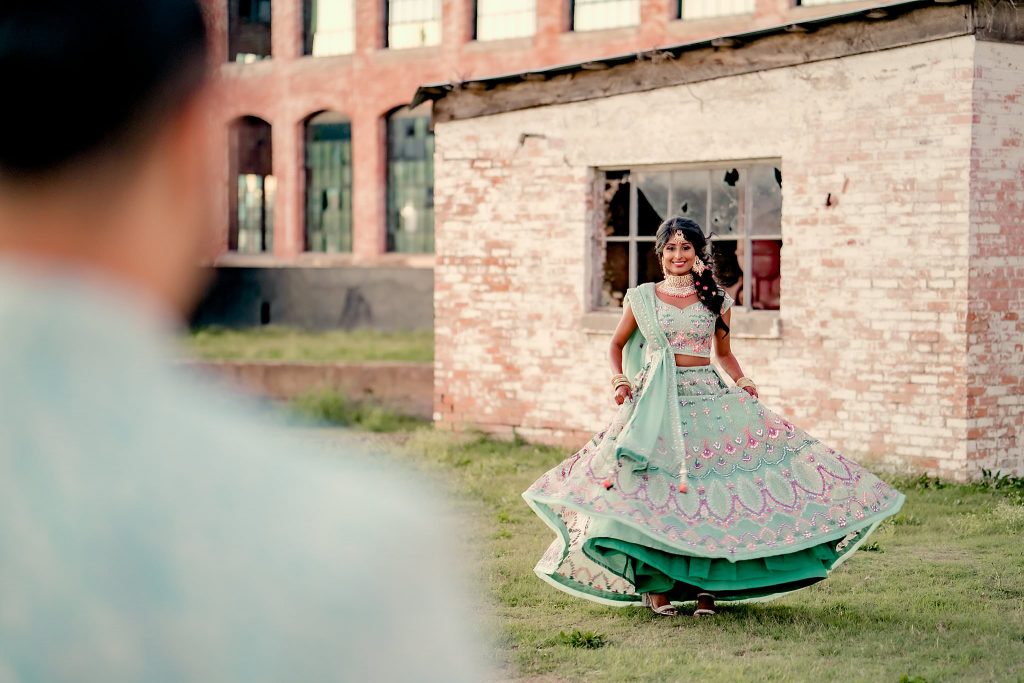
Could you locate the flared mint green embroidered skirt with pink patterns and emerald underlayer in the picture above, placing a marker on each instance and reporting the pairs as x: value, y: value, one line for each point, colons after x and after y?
x: 770, y: 509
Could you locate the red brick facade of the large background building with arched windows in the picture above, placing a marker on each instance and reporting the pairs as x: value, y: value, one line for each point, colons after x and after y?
x: 369, y: 84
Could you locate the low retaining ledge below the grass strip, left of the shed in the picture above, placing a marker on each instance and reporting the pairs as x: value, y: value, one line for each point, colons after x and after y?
x: 404, y: 388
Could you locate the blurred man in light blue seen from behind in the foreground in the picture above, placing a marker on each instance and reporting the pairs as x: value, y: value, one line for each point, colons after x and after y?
x: 151, y: 530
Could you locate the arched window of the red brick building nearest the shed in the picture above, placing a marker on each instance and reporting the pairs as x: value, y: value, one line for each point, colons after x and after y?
x: 410, y: 181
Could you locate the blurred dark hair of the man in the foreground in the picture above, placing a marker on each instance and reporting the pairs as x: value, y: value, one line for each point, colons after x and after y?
x: 83, y: 79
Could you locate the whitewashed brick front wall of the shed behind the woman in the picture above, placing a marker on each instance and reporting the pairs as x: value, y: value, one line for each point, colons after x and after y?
x: 873, y: 353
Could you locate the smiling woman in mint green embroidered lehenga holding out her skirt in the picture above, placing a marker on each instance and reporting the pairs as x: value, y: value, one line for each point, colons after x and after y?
x: 697, y: 491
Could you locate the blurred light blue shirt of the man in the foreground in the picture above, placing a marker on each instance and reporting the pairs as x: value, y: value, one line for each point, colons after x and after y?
x: 153, y: 530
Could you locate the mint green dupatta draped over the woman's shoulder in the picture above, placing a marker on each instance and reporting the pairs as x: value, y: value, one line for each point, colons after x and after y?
x: 653, y: 435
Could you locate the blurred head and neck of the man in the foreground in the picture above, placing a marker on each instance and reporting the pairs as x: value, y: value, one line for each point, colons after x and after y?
x: 104, y: 140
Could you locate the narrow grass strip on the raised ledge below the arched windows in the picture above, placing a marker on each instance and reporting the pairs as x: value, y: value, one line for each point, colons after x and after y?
x: 278, y: 344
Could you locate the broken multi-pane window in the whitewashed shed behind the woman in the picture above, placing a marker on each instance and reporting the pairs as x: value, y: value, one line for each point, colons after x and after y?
x: 740, y: 206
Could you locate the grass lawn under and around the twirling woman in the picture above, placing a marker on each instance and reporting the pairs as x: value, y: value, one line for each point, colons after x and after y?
x: 937, y: 594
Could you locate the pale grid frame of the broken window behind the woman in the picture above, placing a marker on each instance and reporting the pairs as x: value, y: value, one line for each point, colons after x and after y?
x: 633, y: 239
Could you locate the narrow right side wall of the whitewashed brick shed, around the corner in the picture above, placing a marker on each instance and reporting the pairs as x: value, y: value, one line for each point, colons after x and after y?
x: 996, y: 333
